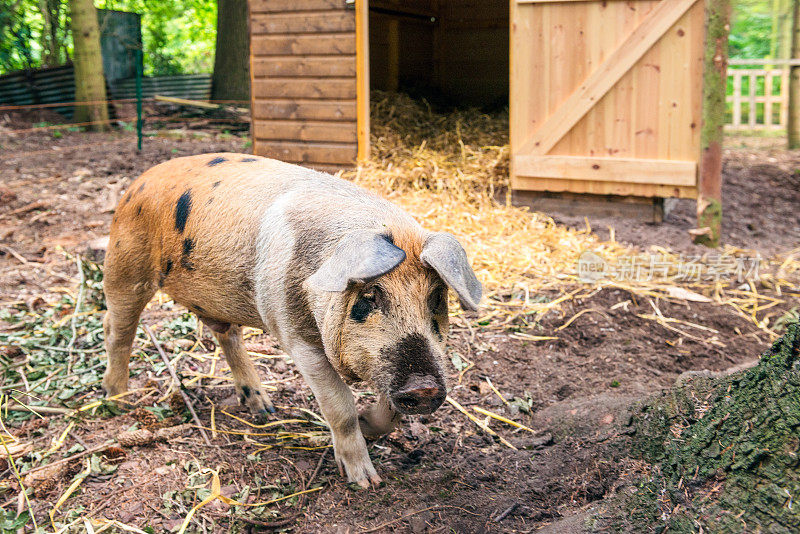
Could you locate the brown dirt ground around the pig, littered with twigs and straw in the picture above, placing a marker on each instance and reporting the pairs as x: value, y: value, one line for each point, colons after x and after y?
x: 442, y: 474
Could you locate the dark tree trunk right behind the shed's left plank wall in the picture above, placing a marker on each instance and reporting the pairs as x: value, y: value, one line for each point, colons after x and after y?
x: 231, y: 79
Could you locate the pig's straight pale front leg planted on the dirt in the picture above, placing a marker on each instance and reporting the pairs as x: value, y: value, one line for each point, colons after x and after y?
x: 339, y: 409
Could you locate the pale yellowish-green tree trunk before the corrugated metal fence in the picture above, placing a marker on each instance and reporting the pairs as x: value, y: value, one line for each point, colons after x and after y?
x: 90, y: 85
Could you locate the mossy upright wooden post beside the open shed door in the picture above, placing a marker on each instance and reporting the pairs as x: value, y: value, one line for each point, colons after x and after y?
x: 715, y: 63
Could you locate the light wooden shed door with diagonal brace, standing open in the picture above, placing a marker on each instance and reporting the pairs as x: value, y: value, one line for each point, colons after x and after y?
x: 605, y: 96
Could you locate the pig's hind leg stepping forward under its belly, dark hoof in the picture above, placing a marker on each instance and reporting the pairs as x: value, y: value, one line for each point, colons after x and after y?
x: 245, y: 376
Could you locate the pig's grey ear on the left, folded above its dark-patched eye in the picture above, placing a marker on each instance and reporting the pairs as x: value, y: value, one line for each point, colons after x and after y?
x: 359, y: 257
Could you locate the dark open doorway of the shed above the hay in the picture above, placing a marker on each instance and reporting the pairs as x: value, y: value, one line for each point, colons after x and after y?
x: 452, y: 53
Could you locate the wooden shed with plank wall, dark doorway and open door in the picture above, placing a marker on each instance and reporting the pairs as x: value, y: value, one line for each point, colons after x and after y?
x: 604, y: 95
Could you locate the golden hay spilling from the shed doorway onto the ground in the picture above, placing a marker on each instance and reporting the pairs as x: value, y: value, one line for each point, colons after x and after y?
x: 451, y: 172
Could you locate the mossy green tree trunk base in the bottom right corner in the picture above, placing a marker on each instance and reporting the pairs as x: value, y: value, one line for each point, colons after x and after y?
x: 737, y: 434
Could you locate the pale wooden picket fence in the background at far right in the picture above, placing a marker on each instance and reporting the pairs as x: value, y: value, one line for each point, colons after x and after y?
x: 758, y: 94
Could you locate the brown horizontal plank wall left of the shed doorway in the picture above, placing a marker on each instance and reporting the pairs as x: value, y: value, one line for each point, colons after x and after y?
x: 303, y: 81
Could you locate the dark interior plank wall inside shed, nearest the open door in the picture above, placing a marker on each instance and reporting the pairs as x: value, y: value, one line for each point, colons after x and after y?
x: 472, y: 51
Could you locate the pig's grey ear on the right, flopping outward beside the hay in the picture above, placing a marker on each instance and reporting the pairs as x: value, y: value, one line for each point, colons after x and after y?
x: 443, y: 253
